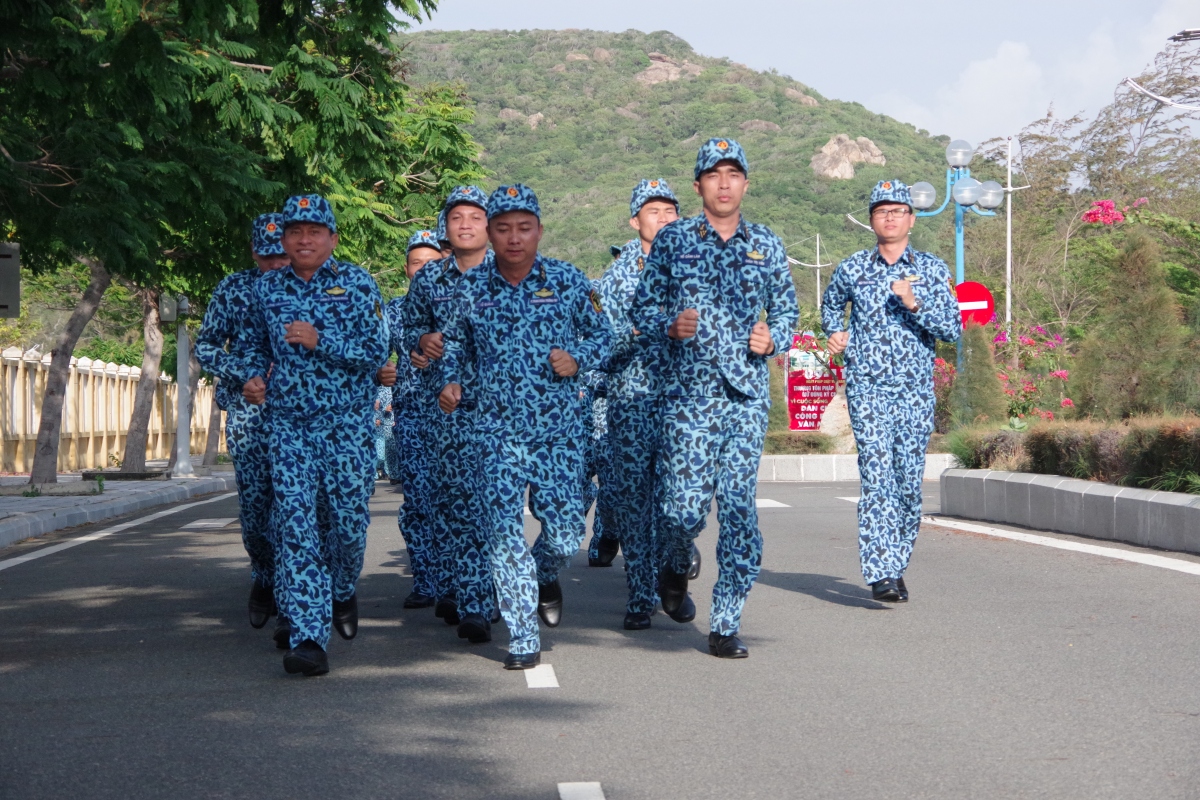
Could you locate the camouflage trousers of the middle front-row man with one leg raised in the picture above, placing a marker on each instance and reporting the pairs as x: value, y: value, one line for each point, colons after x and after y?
x: 553, y: 473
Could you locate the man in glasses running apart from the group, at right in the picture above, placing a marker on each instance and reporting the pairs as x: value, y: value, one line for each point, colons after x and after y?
x: 902, y: 302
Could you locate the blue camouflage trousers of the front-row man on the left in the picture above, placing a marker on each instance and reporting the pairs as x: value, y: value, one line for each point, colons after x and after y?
x: 321, y: 514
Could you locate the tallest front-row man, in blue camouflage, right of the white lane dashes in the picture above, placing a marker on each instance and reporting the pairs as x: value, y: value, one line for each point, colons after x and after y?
x: 707, y: 281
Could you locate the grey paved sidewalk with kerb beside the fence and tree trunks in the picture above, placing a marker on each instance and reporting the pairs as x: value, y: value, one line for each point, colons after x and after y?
x: 23, y: 518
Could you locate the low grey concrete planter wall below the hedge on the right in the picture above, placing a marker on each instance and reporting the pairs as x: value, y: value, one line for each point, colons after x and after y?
x: 1166, y: 520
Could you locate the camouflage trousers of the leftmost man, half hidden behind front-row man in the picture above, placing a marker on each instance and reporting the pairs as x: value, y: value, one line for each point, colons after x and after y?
x: 247, y: 436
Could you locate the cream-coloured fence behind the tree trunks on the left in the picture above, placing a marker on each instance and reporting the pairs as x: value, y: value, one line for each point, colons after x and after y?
x: 95, y: 413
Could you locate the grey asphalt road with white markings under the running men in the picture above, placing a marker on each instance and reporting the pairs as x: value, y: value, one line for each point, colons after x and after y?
x: 128, y: 670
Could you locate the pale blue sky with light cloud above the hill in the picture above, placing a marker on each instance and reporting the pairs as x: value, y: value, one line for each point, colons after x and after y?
x: 968, y: 70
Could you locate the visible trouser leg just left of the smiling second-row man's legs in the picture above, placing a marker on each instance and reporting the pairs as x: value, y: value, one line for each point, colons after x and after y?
x: 417, y: 515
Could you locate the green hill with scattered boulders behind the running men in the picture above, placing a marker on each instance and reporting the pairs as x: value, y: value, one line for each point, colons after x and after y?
x: 577, y: 116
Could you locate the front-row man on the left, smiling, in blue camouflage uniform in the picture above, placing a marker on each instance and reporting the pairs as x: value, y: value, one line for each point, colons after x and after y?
x: 319, y: 326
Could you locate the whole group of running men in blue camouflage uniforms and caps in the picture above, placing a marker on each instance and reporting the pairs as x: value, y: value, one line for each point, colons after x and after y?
x: 501, y: 353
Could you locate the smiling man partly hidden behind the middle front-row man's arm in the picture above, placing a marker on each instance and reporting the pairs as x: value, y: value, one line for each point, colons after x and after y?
x: 461, y: 530
